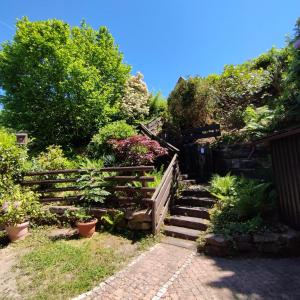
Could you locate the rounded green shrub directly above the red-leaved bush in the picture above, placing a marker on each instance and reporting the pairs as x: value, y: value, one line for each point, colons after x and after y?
x: 116, y: 130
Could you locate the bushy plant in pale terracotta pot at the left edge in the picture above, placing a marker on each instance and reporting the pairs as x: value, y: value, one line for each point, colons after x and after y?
x: 17, y: 206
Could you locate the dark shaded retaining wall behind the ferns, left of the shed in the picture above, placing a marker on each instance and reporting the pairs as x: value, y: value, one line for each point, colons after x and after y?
x: 243, y: 159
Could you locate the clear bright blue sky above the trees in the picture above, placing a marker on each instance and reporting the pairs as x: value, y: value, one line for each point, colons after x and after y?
x: 166, y: 39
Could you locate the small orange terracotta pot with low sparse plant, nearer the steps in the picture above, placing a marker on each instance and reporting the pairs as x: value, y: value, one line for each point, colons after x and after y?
x: 85, y: 223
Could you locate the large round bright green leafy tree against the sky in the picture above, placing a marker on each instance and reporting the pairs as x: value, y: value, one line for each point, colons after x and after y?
x: 61, y: 83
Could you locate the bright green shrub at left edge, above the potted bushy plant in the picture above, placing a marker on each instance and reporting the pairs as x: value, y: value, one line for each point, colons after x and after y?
x: 12, y: 158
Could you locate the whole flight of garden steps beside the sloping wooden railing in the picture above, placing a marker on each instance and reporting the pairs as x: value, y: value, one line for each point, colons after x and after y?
x: 189, y: 212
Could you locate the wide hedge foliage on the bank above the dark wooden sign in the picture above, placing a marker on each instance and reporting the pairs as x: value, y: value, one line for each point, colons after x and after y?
x: 223, y: 98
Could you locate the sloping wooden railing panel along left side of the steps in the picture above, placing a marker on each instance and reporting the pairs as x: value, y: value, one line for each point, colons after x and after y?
x: 164, y: 194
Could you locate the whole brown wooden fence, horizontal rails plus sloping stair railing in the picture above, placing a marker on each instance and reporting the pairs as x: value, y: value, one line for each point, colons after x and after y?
x: 158, y: 198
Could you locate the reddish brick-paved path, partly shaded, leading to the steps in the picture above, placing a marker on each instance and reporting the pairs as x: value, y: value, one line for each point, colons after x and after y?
x: 172, y: 272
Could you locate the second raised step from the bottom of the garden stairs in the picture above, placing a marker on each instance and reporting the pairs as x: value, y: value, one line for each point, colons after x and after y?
x: 188, y: 222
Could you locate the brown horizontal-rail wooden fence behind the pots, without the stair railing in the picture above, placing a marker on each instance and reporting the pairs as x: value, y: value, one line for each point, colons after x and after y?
x: 46, y: 183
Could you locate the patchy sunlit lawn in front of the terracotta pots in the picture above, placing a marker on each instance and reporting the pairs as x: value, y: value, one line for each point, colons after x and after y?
x: 65, y: 268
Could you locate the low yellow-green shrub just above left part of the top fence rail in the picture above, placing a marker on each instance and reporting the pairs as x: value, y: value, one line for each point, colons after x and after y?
x: 52, y: 159
